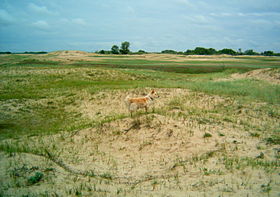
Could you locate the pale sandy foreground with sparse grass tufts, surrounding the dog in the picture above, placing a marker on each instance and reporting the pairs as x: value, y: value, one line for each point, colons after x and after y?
x: 162, y: 153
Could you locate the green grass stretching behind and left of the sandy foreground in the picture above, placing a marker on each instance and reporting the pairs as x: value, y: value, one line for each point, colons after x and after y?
x: 34, y: 80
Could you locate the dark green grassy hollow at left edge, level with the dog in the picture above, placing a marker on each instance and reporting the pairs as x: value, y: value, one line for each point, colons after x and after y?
x: 36, y: 120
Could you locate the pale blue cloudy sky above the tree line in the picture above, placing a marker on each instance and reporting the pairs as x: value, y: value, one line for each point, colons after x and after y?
x: 150, y: 25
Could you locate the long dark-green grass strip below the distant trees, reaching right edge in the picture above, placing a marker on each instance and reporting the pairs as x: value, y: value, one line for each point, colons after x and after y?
x: 191, y: 66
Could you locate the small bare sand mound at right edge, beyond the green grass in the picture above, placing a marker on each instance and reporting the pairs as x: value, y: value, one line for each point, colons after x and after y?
x: 268, y: 74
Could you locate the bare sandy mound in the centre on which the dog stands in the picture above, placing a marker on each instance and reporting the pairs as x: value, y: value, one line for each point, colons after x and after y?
x: 147, y: 145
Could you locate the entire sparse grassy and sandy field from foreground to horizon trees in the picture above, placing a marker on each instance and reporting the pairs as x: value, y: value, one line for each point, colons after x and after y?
x: 65, y: 131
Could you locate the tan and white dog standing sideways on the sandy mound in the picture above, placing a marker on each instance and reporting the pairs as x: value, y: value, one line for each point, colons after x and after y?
x: 140, y: 102
